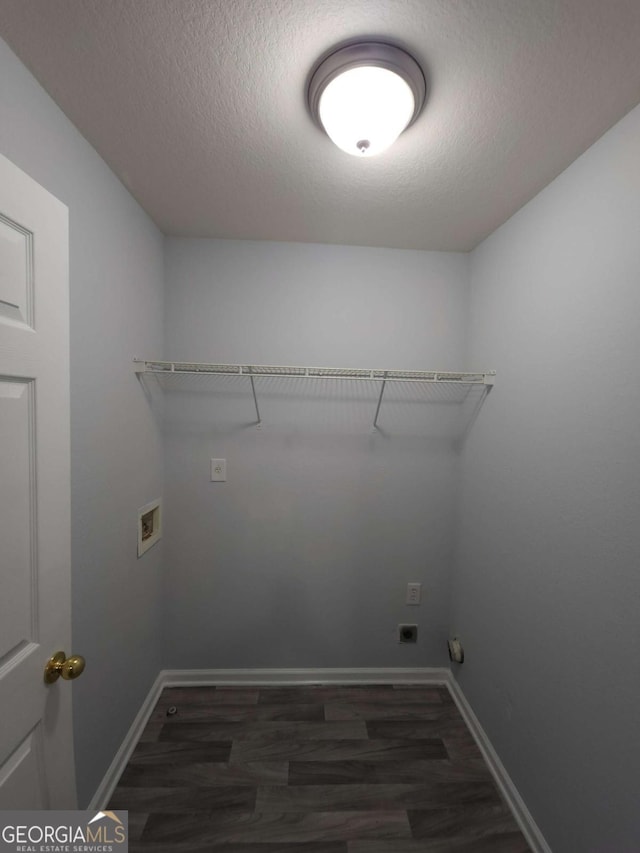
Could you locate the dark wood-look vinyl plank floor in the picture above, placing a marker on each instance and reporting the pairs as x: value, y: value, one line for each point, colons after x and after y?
x: 323, y: 769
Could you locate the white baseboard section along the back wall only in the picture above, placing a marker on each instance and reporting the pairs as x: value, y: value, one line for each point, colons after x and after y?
x: 267, y: 677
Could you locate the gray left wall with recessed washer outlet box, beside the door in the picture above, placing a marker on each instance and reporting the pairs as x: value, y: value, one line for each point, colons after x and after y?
x: 116, y: 455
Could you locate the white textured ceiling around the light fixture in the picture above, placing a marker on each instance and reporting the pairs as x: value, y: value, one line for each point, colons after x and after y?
x: 199, y: 107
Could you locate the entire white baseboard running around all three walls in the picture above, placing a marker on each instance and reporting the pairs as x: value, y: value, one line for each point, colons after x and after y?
x: 269, y: 677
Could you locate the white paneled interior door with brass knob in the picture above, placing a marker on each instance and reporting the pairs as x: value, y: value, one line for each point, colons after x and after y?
x: 36, y: 748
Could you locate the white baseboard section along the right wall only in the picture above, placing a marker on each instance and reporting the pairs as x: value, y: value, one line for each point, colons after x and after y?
x: 521, y: 813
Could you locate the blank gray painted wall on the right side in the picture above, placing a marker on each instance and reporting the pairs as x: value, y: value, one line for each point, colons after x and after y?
x: 547, y: 586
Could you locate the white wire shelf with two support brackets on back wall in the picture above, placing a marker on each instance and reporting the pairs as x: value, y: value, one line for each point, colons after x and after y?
x: 450, y: 379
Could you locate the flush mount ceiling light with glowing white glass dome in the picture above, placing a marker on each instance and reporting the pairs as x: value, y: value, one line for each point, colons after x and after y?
x: 364, y: 95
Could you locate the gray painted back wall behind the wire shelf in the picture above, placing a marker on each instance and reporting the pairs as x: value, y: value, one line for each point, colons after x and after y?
x: 302, y: 557
